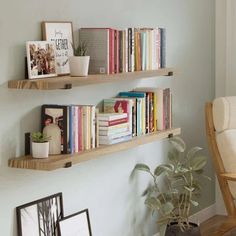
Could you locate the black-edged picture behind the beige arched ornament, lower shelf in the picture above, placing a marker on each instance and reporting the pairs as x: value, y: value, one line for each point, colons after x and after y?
x: 56, y: 114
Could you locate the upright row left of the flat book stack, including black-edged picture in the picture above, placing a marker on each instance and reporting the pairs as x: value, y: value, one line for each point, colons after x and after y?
x: 77, y: 124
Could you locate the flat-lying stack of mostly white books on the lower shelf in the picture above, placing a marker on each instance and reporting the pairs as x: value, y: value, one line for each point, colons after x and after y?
x: 113, y: 128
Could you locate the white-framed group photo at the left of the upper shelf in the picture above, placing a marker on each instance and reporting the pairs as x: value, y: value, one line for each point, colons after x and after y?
x: 40, y: 59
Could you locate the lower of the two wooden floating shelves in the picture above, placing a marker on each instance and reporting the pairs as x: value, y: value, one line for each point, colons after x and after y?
x: 63, y: 161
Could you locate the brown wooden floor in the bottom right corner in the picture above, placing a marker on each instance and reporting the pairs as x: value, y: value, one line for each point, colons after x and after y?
x: 211, y: 225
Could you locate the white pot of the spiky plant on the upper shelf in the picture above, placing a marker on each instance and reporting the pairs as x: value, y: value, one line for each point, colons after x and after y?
x: 79, y: 65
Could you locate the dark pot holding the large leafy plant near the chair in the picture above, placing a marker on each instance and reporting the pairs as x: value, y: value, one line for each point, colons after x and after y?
x: 174, y: 230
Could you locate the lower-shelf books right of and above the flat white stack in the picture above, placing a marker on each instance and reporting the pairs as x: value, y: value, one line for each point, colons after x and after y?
x: 148, y: 109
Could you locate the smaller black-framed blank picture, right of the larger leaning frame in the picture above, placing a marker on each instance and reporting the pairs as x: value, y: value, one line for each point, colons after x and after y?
x: 76, y: 224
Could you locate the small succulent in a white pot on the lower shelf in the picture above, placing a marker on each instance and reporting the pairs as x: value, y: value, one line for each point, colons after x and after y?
x: 40, y: 145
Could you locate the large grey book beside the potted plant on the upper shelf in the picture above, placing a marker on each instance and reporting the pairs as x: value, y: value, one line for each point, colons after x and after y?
x: 98, y: 41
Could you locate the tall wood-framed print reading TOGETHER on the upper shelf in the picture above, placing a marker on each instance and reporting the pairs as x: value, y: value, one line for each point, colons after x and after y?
x: 62, y: 34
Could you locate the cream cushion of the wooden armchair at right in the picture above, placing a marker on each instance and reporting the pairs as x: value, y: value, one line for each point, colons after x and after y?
x: 224, y: 118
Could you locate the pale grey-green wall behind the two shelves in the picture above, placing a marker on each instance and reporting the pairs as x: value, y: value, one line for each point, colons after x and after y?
x: 103, y: 186
